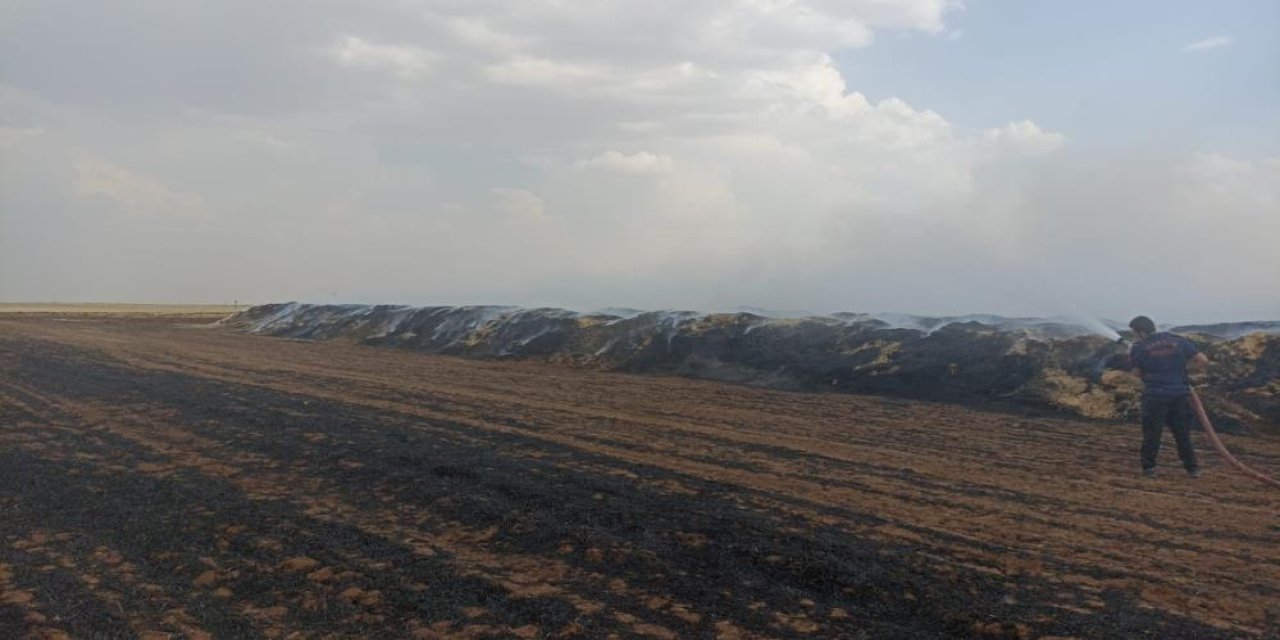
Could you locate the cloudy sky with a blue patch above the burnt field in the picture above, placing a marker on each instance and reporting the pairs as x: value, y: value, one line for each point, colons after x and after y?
x: 925, y: 157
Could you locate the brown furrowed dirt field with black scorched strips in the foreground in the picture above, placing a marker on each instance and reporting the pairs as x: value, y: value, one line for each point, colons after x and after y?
x: 159, y: 478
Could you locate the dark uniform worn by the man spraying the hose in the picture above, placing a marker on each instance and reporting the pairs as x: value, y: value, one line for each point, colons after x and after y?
x: 1162, y: 360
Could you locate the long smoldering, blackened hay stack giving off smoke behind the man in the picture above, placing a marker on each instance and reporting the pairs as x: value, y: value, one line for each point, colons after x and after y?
x: 1036, y: 364
